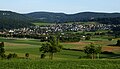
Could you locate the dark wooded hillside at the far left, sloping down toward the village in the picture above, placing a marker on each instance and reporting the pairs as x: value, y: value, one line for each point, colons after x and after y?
x: 10, y: 20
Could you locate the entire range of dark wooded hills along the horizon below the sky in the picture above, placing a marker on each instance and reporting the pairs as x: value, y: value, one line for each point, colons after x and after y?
x: 10, y: 20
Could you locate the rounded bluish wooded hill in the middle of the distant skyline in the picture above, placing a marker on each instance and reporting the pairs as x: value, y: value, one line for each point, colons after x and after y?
x: 48, y: 17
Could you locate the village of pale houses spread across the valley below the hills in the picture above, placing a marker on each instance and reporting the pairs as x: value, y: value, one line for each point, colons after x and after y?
x: 43, y: 30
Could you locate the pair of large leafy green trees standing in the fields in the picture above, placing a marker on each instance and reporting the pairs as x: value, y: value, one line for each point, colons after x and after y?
x: 53, y: 46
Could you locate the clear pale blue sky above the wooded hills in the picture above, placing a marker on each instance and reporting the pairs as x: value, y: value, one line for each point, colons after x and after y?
x: 60, y: 6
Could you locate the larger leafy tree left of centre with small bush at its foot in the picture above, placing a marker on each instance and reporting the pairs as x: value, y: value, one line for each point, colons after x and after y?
x: 51, y: 47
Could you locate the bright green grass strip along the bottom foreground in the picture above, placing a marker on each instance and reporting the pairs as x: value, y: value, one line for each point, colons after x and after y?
x: 59, y: 64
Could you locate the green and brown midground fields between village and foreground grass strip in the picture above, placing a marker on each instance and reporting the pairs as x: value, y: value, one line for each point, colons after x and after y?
x: 31, y: 46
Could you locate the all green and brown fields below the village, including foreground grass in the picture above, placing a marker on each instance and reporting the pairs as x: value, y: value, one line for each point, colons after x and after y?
x: 66, y: 59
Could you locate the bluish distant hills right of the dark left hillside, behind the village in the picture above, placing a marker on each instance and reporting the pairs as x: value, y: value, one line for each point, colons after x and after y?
x: 61, y: 17
